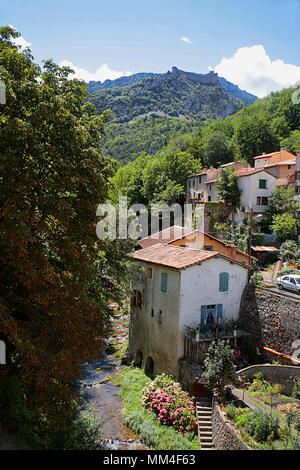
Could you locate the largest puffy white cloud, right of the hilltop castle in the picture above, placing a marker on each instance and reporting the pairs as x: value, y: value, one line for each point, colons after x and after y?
x: 252, y: 70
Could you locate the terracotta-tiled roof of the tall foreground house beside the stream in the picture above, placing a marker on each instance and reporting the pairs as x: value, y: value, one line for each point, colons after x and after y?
x: 177, y: 257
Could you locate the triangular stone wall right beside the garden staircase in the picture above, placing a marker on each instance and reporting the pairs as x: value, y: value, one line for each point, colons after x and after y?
x: 225, y: 437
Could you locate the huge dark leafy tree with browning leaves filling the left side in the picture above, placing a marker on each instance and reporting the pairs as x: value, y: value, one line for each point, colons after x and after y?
x: 53, y: 176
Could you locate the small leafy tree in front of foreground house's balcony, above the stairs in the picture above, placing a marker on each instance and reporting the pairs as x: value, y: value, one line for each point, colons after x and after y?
x: 219, y: 364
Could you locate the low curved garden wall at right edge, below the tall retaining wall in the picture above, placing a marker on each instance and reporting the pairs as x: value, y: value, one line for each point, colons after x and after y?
x: 283, y: 375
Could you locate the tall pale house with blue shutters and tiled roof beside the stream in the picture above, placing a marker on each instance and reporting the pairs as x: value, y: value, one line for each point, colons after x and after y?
x: 185, y: 282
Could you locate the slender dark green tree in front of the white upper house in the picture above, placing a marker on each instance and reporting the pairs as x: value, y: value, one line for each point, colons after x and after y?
x: 228, y: 189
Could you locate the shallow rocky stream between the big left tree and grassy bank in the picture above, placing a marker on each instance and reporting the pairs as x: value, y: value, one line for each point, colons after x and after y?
x: 102, y: 399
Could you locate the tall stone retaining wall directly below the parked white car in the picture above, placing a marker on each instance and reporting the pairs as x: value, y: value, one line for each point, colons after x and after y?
x: 271, y: 319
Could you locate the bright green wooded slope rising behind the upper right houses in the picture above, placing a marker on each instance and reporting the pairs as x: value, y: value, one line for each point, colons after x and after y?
x: 265, y: 126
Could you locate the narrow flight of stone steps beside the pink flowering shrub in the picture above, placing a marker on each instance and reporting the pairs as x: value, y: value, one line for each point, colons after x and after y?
x: 204, y: 414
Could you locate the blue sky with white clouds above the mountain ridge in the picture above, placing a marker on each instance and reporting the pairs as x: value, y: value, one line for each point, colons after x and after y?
x: 132, y: 36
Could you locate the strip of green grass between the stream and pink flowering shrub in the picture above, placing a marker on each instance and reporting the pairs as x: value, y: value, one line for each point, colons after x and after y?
x: 144, y: 422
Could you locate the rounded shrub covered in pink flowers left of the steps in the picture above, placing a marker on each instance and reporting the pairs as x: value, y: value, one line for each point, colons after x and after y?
x: 171, y: 404
